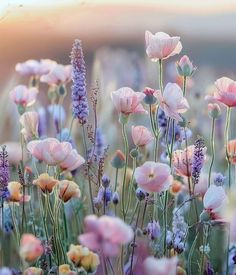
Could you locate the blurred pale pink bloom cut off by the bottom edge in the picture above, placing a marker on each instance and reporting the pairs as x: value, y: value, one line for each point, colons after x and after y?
x: 161, y: 266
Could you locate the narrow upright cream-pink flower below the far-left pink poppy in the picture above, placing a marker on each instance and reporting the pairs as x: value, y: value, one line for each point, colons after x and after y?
x: 29, y: 122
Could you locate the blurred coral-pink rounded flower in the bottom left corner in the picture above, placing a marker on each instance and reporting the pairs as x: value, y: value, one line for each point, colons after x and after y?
x: 30, y: 248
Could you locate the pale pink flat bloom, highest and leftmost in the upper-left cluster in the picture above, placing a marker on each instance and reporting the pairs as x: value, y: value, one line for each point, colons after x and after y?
x: 34, y: 67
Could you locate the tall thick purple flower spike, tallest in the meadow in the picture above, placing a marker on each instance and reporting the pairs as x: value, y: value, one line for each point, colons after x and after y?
x: 79, y: 93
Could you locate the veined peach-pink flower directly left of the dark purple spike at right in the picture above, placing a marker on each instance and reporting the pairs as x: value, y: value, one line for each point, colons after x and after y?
x: 182, y: 161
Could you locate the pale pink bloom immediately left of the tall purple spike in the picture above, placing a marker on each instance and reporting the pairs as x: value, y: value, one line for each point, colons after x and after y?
x: 59, y: 74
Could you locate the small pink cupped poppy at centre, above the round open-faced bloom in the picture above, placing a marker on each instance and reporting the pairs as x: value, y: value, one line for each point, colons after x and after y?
x: 141, y: 135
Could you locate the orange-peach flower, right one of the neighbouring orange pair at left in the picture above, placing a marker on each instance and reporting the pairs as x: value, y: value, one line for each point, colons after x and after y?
x: 68, y: 189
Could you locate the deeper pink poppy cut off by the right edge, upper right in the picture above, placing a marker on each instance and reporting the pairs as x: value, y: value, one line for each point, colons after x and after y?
x: 226, y: 91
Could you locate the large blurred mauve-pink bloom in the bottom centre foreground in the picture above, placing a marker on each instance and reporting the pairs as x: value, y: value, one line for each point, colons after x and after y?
x: 105, y: 233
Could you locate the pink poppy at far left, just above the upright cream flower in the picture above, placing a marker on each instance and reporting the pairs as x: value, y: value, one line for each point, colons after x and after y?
x: 21, y: 95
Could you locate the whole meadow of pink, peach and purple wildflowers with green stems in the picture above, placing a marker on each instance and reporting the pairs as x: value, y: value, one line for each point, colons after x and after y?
x: 161, y: 204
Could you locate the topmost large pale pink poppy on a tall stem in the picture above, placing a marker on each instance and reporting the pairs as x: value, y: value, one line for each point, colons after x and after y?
x: 161, y: 45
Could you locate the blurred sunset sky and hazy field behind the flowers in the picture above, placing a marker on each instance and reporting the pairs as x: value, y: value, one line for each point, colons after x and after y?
x: 112, y: 33
